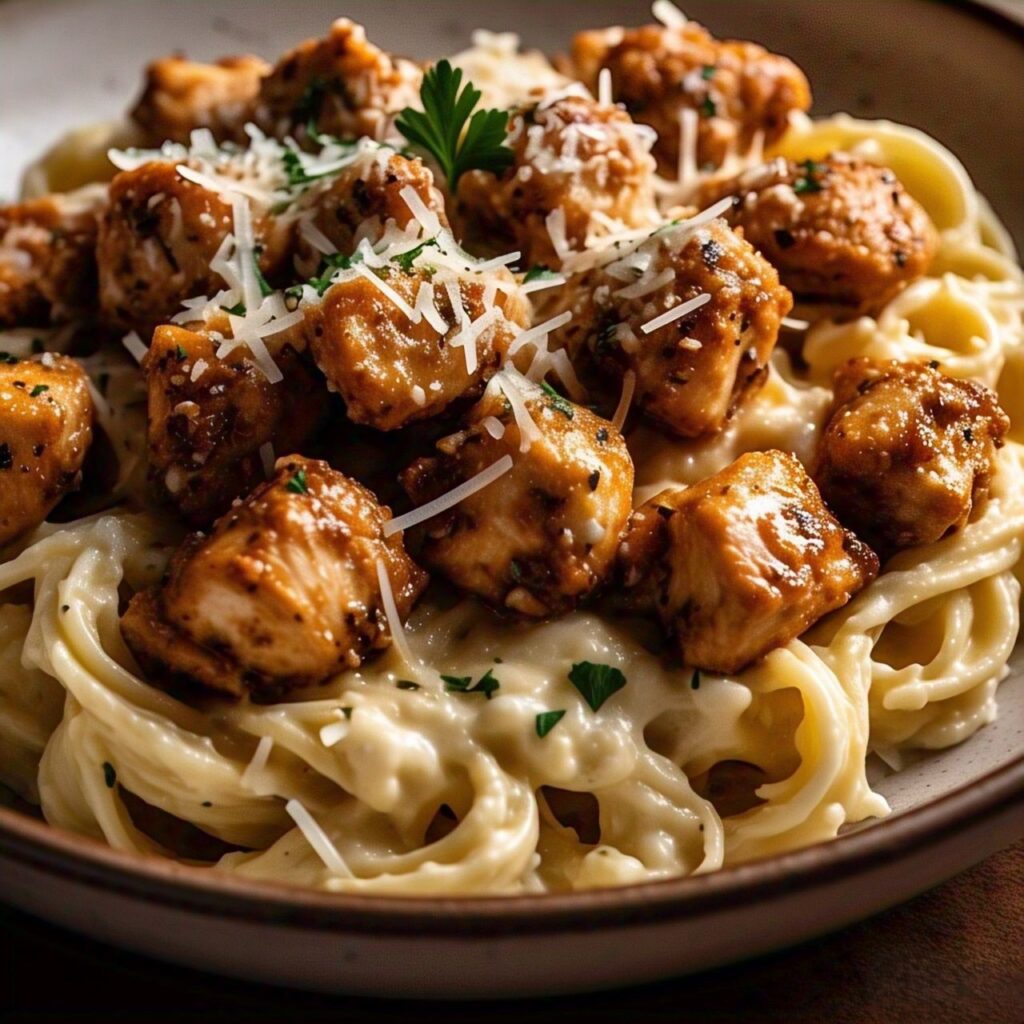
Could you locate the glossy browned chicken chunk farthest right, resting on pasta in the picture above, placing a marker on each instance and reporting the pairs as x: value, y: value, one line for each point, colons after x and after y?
x: 909, y: 453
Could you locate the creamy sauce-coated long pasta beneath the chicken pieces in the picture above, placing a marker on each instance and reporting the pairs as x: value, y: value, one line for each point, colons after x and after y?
x: 385, y: 781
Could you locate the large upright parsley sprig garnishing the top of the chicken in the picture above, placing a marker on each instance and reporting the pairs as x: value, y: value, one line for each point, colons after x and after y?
x: 441, y: 130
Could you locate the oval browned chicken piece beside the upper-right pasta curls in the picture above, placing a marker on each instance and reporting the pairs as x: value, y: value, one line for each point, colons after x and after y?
x: 839, y: 230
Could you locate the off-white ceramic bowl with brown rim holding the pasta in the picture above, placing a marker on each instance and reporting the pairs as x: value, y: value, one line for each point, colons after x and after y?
x: 955, y: 72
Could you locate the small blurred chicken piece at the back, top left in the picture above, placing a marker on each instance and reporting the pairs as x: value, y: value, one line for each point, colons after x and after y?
x: 182, y: 96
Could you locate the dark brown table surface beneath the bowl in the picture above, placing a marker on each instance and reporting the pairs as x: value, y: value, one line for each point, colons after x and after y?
x: 954, y: 955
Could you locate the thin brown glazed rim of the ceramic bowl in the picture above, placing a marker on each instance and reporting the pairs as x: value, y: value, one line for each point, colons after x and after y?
x: 204, y: 890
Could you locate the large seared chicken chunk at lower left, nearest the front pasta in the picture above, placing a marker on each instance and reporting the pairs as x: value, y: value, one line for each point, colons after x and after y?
x: 284, y: 593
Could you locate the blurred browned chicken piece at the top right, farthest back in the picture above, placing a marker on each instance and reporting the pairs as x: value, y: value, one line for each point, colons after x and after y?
x: 739, y: 90
